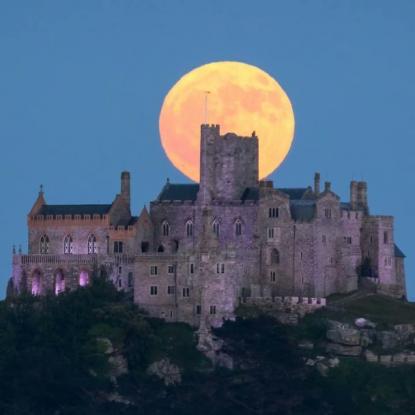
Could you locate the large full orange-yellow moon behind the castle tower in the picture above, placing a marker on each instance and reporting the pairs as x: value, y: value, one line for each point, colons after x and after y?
x: 242, y: 98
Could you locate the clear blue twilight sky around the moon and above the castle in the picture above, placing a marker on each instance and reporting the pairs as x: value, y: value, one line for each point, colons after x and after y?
x: 82, y: 83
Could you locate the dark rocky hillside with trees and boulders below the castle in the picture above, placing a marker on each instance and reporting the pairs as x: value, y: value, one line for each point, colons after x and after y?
x: 92, y: 352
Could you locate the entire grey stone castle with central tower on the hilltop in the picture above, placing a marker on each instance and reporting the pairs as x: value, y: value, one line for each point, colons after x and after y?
x: 203, y: 248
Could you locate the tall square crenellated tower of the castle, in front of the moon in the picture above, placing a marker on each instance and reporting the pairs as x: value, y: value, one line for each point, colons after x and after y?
x: 228, y: 164
